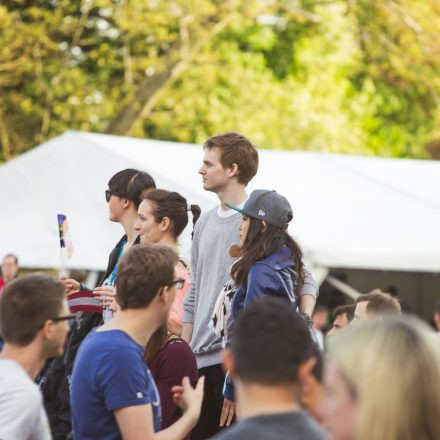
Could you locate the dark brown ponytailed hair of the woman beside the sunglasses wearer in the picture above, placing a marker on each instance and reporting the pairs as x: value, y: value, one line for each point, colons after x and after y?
x: 172, y: 205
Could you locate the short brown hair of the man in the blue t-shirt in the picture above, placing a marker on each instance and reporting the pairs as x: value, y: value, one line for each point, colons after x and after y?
x: 142, y: 271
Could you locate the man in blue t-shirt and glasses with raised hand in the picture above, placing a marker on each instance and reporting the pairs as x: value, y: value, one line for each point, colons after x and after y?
x: 113, y: 394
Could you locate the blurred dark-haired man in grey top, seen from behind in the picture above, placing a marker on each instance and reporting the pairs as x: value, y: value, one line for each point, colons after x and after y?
x: 271, y: 353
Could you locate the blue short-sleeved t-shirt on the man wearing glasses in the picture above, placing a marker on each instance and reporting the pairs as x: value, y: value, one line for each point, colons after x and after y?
x: 109, y: 373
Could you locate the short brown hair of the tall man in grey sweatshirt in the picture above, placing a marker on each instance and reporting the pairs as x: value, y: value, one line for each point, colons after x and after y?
x: 235, y: 148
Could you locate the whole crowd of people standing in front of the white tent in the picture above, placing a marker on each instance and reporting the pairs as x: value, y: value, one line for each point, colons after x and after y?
x: 226, y: 346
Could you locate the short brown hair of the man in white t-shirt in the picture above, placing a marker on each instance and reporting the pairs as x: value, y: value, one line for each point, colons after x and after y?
x: 26, y: 304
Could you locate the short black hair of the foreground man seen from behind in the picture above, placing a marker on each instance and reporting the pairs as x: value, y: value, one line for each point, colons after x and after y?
x: 270, y: 341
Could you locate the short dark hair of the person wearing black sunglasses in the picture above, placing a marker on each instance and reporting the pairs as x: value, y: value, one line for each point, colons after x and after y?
x: 130, y: 183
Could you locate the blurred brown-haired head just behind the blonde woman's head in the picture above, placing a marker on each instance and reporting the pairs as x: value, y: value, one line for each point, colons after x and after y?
x: 375, y: 305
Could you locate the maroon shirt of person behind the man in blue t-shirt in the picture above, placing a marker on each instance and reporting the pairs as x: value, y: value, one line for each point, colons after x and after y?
x: 172, y: 363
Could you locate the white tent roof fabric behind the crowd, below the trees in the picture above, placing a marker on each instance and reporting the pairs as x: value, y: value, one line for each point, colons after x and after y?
x: 349, y: 211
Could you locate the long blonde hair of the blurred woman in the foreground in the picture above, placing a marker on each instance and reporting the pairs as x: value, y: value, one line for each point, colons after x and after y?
x: 392, y: 368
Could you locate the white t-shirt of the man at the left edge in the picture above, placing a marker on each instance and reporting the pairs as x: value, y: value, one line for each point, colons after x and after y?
x: 22, y: 415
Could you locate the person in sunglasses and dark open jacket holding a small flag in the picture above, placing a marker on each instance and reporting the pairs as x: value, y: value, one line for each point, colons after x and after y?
x: 123, y: 198
